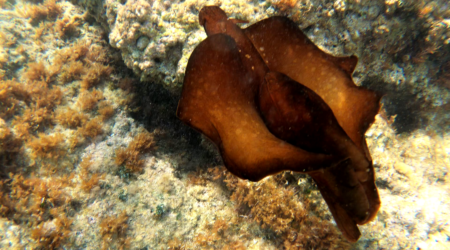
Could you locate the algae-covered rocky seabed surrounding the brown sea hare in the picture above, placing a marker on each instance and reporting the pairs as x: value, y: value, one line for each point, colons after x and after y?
x: 67, y: 102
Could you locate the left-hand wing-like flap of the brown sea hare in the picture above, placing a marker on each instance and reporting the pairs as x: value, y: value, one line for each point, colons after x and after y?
x: 218, y: 99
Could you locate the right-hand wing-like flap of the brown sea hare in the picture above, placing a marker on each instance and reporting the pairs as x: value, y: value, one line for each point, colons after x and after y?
x: 286, y: 49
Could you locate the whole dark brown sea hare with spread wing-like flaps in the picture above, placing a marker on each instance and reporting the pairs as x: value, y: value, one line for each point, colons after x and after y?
x: 272, y: 101
